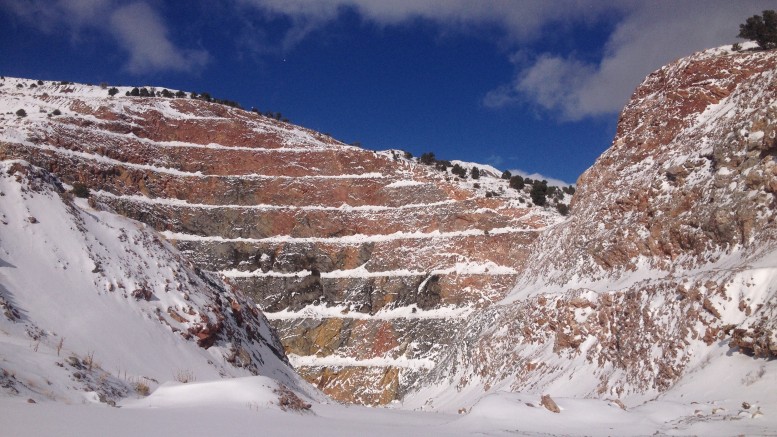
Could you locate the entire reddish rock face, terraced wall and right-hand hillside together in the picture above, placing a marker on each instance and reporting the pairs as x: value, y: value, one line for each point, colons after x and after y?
x: 386, y: 278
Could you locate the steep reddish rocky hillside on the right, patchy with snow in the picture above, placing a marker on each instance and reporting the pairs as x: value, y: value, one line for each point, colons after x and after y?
x: 669, y: 259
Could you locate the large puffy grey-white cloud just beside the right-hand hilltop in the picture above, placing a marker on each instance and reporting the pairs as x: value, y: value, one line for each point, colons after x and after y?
x: 651, y: 35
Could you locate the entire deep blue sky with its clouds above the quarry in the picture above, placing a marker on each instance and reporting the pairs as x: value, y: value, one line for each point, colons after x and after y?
x: 534, y: 86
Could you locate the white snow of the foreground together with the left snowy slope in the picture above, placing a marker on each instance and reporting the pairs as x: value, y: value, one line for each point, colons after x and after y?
x: 74, y: 342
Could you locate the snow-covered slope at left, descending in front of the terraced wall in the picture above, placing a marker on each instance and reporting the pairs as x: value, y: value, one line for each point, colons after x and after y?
x: 97, y: 306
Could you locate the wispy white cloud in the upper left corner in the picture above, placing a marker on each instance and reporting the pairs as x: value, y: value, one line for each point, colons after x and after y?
x: 136, y: 27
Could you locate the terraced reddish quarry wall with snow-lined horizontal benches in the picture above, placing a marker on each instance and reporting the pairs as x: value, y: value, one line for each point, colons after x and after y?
x: 366, y: 263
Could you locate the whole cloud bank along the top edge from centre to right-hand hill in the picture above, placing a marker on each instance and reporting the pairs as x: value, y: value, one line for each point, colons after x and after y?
x: 648, y: 34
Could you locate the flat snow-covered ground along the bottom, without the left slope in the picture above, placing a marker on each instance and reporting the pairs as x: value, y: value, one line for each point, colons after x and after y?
x: 248, y: 405
